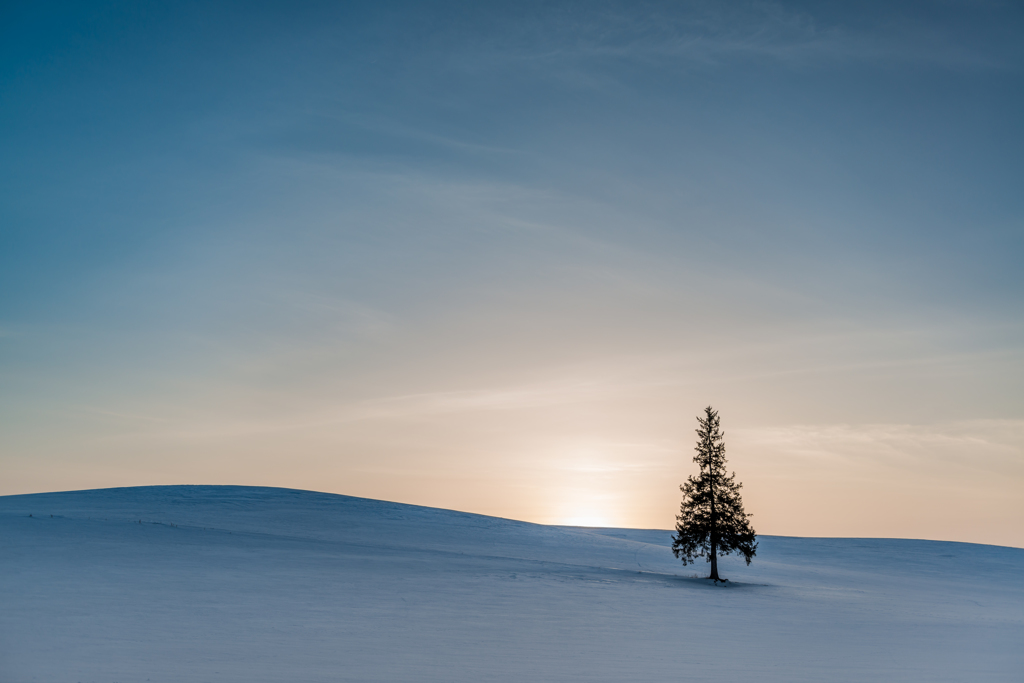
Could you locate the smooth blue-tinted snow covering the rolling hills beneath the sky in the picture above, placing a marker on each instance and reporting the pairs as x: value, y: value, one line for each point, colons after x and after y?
x: 248, y: 584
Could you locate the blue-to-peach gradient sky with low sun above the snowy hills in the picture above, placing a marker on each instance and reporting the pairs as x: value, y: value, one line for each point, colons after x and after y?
x: 498, y: 259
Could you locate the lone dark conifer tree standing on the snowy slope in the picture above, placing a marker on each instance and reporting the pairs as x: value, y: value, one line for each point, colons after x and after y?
x: 712, y: 521
